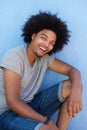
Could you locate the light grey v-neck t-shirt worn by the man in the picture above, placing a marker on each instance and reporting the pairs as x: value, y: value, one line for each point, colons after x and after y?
x: 30, y: 77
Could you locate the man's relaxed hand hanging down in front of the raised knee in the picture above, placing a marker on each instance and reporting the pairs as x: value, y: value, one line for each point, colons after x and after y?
x: 74, y: 104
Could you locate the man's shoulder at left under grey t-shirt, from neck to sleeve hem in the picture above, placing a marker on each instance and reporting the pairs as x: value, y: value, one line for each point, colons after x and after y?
x: 14, y: 59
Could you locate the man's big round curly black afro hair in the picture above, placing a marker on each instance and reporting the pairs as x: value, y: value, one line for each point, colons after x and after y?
x: 46, y: 20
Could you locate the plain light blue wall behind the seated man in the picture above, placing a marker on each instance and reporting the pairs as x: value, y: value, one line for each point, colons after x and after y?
x: 13, y: 14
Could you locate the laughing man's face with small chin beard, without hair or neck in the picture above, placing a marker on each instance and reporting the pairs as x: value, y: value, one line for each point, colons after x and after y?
x: 43, y: 42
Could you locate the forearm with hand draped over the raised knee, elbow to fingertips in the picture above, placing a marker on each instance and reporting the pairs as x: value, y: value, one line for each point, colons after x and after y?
x: 75, y: 97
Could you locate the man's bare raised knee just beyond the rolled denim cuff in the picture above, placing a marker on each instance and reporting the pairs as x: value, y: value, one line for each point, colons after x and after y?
x: 66, y: 88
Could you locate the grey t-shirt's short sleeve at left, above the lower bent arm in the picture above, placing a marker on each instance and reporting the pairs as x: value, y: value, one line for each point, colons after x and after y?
x: 12, y: 61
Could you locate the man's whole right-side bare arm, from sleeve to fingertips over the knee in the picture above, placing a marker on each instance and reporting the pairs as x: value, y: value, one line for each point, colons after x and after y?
x: 75, y: 98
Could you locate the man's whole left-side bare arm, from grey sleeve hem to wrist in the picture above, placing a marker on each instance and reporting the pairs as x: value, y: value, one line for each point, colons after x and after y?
x: 12, y: 90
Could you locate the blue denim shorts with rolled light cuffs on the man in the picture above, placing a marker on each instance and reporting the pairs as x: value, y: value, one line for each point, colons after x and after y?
x: 46, y: 102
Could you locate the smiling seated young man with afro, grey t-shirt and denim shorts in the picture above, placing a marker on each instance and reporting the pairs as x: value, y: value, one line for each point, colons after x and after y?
x: 22, y: 71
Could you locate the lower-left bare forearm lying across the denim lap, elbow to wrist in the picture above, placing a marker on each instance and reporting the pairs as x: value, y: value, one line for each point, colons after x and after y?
x: 25, y: 110
